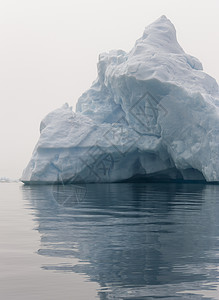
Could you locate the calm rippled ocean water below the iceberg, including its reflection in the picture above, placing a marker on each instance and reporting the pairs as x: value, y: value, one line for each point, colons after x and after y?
x: 109, y: 241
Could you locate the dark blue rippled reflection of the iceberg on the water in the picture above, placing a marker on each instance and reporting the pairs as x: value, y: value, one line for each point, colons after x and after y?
x: 138, y: 240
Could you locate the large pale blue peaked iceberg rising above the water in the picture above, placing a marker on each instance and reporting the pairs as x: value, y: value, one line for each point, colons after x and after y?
x: 151, y: 113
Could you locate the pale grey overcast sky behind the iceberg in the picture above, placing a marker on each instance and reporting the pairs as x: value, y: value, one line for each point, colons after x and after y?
x: 49, y: 50
